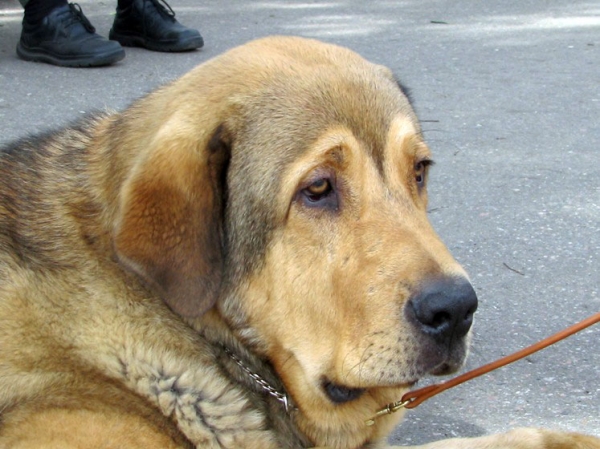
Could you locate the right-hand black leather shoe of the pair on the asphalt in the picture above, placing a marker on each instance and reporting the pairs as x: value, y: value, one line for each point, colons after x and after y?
x: 151, y: 24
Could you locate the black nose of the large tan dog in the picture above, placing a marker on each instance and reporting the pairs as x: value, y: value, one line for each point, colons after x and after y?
x: 444, y: 308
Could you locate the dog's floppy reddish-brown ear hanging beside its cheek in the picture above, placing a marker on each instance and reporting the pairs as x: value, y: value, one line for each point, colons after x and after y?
x: 169, y: 228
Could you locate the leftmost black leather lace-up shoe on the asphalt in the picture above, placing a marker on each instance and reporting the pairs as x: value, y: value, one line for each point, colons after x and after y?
x: 65, y: 37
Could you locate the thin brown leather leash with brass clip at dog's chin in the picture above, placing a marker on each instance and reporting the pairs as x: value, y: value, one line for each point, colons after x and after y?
x: 416, y: 397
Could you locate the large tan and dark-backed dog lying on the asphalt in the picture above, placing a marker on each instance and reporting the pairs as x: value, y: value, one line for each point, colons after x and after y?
x: 242, y: 258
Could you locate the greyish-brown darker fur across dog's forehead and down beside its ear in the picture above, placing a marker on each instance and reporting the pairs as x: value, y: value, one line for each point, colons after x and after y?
x: 282, y: 122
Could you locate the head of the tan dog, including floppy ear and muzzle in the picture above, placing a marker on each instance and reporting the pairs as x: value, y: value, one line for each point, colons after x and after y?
x: 286, y: 181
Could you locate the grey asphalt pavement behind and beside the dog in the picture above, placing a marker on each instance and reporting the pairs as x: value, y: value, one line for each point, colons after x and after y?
x: 509, y: 95
